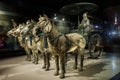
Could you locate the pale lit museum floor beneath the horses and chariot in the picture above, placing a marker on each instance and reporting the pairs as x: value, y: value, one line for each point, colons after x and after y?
x: 107, y: 67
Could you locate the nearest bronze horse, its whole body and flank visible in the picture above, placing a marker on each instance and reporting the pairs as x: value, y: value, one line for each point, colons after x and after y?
x: 61, y: 44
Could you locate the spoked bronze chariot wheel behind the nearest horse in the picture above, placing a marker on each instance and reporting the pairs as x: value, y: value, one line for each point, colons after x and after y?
x: 95, y: 46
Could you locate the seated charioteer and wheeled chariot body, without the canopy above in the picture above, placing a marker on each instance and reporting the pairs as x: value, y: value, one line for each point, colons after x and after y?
x: 93, y: 37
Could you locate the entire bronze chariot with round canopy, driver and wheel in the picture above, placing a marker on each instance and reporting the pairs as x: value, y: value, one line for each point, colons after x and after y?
x: 92, y: 36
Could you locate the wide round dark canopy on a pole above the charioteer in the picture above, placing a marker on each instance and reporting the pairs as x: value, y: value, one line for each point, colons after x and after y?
x: 79, y: 8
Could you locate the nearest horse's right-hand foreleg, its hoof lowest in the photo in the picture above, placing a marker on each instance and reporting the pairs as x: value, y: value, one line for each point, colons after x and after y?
x: 62, y: 65
